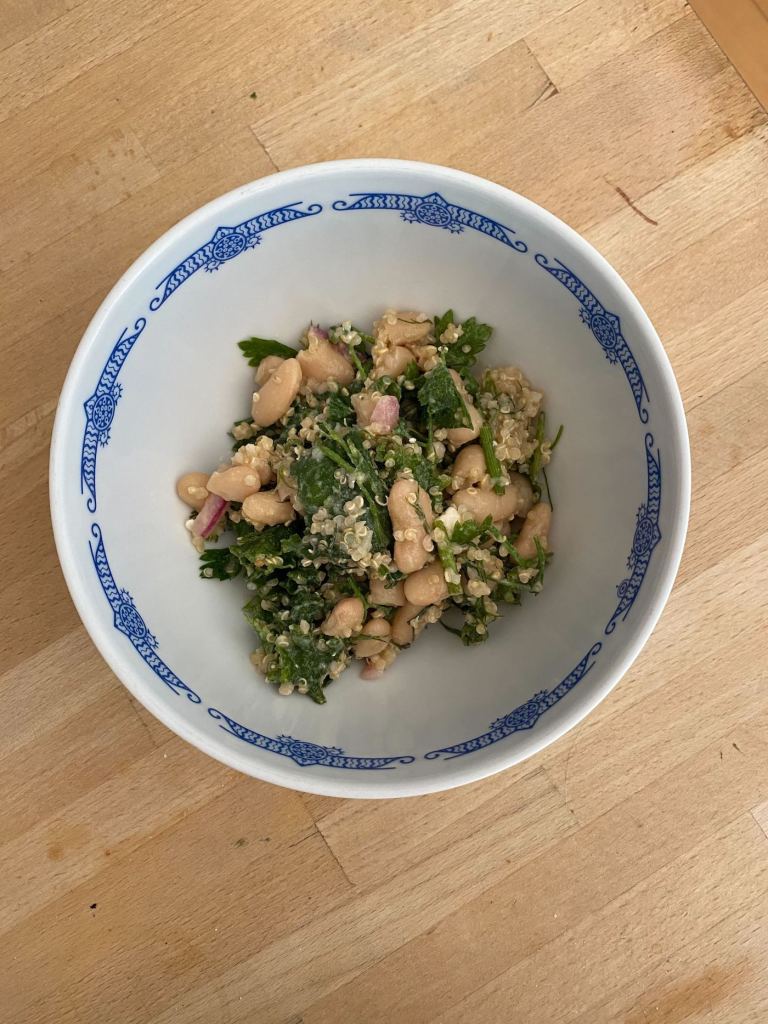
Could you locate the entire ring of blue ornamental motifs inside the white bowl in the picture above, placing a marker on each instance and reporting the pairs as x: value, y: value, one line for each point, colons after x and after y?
x: 435, y: 211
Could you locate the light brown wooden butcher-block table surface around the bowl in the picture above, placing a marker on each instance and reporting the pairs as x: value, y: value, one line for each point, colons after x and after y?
x: 620, y: 877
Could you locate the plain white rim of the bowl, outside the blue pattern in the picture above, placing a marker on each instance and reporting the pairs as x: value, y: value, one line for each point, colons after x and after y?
x: 344, y: 786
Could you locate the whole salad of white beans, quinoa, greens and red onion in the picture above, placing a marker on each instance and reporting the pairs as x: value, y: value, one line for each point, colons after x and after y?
x: 379, y: 486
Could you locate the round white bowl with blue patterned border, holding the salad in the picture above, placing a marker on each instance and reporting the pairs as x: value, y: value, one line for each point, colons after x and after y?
x: 158, y: 380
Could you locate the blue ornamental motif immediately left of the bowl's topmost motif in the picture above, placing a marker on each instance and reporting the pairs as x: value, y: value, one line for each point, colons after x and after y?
x: 227, y: 243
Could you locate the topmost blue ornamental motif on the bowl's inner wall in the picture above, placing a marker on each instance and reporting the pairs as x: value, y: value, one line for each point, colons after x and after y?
x: 434, y: 211
